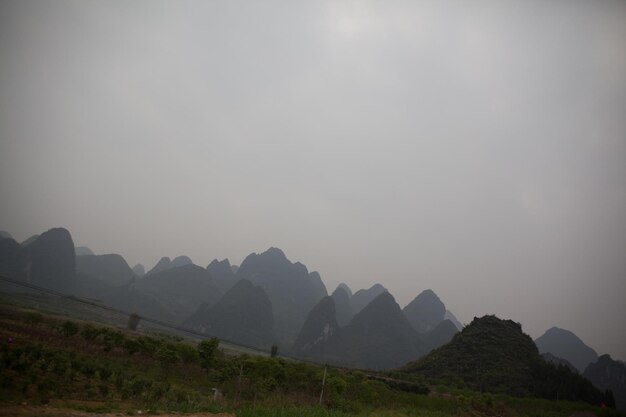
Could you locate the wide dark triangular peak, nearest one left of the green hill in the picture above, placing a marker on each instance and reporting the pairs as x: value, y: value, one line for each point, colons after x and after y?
x: 378, y: 337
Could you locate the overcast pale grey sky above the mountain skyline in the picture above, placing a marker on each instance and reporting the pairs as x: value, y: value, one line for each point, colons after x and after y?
x: 475, y: 148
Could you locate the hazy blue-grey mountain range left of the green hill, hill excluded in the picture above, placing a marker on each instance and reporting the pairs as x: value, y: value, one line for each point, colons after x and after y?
x: 268, y: 298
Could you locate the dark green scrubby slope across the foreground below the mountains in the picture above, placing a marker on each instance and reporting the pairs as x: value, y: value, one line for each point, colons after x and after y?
x: 48, y: 360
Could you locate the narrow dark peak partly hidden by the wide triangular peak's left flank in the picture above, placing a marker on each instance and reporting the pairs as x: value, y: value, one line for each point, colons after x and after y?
x: 319, y: 327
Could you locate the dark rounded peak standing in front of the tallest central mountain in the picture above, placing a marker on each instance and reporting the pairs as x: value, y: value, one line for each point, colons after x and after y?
x: 243, y: 315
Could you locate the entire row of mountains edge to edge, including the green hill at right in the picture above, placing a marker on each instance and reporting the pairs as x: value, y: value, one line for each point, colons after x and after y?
x: 270, y: 300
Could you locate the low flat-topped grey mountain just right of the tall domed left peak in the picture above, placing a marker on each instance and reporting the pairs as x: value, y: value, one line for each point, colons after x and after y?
x: 109, y: 270
